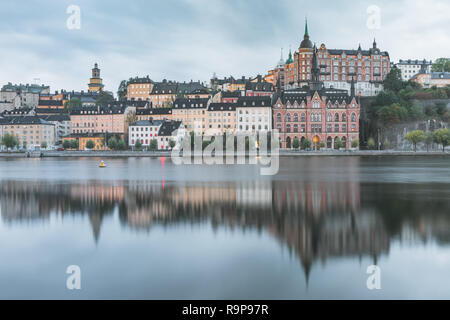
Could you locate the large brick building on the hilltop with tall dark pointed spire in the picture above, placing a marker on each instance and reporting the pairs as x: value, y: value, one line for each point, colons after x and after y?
x: 337, y: 67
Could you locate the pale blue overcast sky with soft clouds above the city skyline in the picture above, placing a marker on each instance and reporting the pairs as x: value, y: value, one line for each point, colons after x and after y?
x: 187, y: 40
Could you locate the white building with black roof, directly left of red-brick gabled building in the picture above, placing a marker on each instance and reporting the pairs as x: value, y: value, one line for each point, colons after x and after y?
x: 253, y: 114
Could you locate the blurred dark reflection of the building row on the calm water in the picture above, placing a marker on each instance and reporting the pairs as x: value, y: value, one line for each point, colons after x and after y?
x: 315, y: 220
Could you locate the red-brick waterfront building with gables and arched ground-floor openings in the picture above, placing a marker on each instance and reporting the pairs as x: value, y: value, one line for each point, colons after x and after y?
x: 318, y: 114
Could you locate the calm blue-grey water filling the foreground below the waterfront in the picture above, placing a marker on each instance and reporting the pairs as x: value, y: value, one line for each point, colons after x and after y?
x: 147, y: 229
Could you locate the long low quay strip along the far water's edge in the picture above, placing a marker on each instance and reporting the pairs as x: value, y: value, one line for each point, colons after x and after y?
x: 287, y: 153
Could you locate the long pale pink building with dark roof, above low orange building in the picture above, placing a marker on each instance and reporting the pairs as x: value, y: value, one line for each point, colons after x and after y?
x: 99, y: 119
